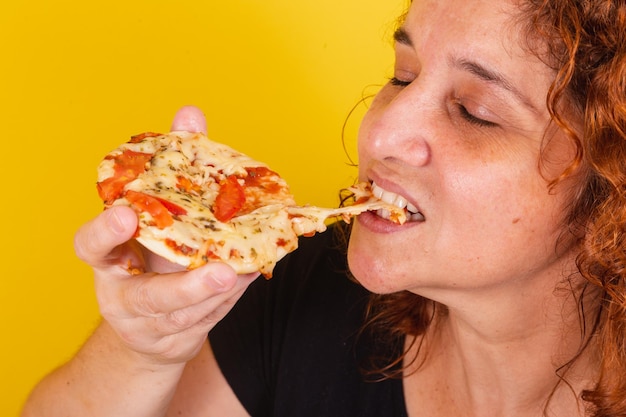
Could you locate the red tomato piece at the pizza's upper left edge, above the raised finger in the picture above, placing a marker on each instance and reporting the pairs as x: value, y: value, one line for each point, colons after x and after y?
x: 127, y: 166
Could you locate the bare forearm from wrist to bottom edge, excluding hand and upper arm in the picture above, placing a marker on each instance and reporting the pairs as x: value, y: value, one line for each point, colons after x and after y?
x: 104, y: 379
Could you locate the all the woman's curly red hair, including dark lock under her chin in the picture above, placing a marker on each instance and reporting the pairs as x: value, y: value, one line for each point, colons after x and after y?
x: 585, y: 43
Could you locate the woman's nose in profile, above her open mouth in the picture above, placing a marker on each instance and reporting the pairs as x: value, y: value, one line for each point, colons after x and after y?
x: 395, y: 127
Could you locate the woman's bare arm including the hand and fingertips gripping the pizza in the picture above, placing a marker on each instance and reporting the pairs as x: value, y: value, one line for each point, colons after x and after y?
x: 150, y: 353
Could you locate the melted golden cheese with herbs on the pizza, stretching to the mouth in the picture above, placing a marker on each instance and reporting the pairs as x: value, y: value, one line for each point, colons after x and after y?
x: 250, y: 242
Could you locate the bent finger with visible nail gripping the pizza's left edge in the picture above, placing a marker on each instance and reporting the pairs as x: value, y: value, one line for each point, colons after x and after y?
x: 96, y: 240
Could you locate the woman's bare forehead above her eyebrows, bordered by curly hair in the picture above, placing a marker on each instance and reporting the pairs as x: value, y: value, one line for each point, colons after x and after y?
x: 485, y: 32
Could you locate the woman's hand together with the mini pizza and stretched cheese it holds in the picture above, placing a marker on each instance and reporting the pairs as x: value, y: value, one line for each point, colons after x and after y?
x: 212, y: 212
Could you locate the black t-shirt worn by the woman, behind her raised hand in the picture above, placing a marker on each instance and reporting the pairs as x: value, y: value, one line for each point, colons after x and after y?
x: 291, y: 345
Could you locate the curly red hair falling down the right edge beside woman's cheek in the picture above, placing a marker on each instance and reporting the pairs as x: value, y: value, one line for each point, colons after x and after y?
x: 587, y: 46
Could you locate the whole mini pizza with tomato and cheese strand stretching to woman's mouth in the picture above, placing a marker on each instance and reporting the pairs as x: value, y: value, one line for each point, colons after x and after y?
x: 199, y: 201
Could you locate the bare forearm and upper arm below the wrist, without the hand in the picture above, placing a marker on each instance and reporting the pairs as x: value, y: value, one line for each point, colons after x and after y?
x: 103, y: 381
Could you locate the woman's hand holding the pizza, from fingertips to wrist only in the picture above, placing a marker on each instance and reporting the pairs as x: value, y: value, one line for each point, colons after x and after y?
x: 156, y: 307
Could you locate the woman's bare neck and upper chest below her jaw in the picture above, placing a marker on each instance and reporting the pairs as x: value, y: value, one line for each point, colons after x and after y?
x: 504, y: 356
